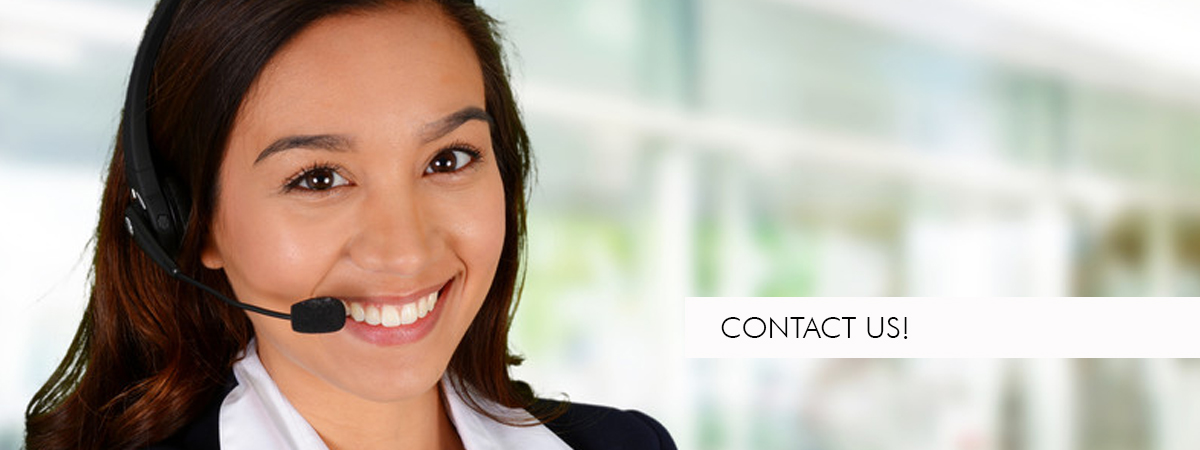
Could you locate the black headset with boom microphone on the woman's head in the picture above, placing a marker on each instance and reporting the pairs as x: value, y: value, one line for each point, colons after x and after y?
x: 158, y: 217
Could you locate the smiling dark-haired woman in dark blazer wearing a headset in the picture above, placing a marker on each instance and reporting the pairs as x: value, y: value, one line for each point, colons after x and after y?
x: 367, y: 152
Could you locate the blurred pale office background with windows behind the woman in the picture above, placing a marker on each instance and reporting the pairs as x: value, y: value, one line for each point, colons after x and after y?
x: 935, y: 148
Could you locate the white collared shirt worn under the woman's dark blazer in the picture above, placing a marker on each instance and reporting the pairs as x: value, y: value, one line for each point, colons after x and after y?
x: 256, y: 416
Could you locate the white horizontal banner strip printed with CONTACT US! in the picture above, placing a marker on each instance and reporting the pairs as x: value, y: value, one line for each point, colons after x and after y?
x: 943, y: 327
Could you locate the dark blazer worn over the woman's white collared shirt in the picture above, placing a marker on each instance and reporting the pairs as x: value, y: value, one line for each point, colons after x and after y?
x: 581, y: 427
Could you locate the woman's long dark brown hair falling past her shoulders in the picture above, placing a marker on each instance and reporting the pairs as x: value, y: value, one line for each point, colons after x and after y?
x: 151, y: 352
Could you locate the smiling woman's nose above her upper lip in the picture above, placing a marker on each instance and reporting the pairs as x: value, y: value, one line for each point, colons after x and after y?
x: 393, y: 235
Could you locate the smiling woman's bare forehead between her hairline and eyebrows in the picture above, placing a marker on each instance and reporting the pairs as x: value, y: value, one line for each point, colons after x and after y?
x: 399, y: 67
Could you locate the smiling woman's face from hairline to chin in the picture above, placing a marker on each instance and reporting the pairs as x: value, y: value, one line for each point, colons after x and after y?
x: 361, y: 167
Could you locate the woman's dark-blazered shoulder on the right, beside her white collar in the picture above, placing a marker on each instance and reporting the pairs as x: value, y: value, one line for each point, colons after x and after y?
x: 591, y: 427
